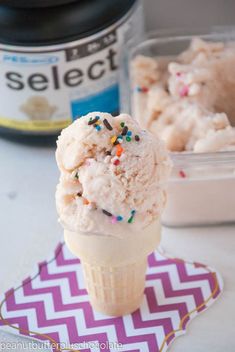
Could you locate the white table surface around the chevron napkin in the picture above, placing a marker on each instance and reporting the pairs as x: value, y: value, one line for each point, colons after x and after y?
x: 29, y: 232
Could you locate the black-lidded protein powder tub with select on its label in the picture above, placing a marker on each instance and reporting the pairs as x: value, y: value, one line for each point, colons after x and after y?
x: 59, y: 60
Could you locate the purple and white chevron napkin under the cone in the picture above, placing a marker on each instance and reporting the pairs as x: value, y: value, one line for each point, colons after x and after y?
x: 52, y: 306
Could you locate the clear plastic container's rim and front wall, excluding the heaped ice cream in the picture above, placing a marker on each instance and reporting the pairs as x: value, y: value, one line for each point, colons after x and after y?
x: 202, y: 186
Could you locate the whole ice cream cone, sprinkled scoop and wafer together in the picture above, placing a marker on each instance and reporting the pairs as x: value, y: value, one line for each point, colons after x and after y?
x: 110, y: 198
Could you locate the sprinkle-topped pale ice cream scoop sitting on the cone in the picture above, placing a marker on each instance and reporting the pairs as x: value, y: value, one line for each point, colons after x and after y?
x: 113, y: 175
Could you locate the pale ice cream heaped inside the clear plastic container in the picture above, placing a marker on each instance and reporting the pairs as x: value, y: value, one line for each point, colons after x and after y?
x: 188, y: 100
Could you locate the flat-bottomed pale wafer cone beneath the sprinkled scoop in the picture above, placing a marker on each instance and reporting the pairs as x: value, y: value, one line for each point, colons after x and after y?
x: 114, y: 268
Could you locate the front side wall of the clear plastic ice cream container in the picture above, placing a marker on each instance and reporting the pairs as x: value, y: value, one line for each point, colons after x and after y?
x: 201, y: 190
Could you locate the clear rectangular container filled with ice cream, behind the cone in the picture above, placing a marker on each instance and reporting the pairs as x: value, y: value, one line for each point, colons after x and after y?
x: 180, y: 86
